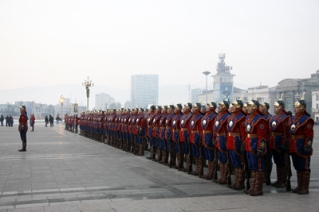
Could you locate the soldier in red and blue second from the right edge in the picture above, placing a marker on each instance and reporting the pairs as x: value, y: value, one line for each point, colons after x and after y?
x: 278, y: 141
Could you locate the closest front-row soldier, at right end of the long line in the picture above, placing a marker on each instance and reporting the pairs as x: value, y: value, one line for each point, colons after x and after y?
x: 255, y: 145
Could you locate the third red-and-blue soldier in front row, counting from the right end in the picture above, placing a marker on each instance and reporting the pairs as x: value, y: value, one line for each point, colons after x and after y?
x: 220, y: 130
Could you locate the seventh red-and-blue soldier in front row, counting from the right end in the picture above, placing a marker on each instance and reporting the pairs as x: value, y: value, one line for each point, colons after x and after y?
x: 176, y: 125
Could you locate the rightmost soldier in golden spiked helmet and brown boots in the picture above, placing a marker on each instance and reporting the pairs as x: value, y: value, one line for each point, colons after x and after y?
x: 301, y: 130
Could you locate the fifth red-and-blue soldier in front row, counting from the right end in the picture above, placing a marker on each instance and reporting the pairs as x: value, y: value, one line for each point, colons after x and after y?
x: 195, y: 139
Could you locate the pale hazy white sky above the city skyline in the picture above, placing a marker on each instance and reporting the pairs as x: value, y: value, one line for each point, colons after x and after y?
x: 60, y: 42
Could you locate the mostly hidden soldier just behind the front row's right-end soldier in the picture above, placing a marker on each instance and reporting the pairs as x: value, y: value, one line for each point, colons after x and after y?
x: 264, y: 108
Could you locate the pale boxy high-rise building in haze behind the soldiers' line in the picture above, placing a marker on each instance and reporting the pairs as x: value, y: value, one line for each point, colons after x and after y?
x: 144, y: 90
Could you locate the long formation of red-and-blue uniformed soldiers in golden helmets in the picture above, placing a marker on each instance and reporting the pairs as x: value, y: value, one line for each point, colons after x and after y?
x: 242, y: 138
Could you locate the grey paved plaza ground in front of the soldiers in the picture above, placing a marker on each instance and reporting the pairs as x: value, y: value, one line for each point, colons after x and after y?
x: 63, y: 171
